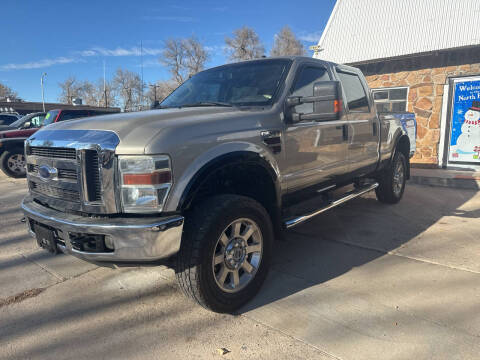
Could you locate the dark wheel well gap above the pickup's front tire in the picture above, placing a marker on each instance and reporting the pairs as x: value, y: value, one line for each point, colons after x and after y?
x: 241, y: 177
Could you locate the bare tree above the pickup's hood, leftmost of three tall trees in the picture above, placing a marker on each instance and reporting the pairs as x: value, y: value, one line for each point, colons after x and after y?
x: 184, y: 57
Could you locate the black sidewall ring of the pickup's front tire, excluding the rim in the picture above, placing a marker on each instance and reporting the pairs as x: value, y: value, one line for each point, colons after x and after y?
x: 207, y: 279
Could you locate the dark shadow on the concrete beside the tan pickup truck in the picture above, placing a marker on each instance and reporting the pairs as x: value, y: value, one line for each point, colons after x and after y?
x: 359, y: 232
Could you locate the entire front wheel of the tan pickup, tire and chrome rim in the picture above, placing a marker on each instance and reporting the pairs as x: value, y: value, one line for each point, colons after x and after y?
x: 204, y: 257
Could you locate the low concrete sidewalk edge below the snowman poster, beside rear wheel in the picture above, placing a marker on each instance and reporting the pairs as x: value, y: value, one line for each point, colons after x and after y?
x: 447, y: 178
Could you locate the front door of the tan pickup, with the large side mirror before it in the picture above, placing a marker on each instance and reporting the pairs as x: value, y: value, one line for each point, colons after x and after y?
x: 315, y: 151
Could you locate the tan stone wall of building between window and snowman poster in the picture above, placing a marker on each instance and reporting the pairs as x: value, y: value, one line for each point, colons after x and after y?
x: 425, y: 99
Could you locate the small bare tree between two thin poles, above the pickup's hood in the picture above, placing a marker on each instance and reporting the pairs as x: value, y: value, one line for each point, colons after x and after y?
x: 128, y: 86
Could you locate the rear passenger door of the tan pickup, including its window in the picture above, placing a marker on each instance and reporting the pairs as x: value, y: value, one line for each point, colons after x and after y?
x: 363, y: 126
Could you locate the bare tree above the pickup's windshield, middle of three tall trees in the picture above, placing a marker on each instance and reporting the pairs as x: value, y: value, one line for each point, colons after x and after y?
x: 245, y: 45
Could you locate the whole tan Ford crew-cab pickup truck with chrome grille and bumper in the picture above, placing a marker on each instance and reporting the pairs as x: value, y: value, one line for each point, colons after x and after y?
x: 205, y: 183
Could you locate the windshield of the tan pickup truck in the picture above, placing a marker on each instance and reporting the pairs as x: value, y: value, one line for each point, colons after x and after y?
x: 252, y: 83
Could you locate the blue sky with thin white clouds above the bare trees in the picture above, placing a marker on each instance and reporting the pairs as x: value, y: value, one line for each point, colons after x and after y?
x: 65, y: 37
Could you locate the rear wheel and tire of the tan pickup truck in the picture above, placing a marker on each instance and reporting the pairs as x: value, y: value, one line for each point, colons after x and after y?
x: 392, y: 180
